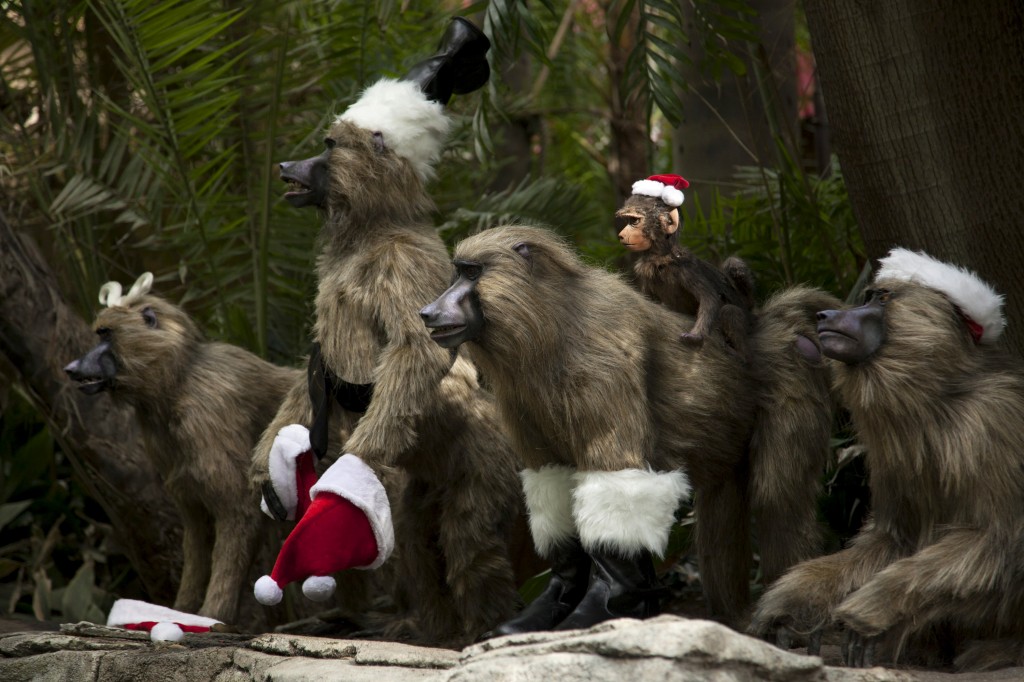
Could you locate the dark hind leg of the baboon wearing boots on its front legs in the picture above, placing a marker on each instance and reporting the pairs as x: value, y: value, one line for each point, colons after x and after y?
x: 723, y: 547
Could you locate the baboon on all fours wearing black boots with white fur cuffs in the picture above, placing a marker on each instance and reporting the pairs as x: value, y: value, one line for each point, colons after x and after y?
x: 615, y: 420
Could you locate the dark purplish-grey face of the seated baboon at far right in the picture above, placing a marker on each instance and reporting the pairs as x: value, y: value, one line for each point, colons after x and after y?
x: 855, y: 335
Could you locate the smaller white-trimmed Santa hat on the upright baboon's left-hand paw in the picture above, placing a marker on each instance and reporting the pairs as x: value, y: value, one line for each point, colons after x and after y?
x: 286, y: 494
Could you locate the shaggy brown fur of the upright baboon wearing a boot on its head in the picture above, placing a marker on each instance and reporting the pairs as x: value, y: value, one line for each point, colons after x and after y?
x: 380, y: 263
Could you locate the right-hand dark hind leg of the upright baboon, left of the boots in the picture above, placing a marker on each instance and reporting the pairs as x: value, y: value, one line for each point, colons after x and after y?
x: 480, y: 574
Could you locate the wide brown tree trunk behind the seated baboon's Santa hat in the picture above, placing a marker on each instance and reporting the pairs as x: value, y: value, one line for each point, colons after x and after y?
x: 924, y: 101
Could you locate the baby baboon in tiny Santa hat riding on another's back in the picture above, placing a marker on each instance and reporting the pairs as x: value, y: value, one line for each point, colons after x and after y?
x: 721, y: 300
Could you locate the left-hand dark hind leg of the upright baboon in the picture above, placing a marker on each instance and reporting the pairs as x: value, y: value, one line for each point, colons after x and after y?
x: 425, y: 614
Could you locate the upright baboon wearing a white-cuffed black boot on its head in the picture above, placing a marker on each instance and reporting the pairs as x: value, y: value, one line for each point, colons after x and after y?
x: 426, y: 415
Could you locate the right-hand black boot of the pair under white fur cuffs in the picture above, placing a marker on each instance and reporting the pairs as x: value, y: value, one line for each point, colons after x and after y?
x: 620, y: 587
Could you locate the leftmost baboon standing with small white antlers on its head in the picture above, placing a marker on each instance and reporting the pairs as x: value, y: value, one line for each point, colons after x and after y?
x: 201, y: 406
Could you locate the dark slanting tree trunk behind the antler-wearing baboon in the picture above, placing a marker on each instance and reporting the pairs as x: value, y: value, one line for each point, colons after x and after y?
x: 39, y: 334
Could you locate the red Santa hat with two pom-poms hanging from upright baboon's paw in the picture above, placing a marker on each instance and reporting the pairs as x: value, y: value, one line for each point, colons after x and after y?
x: 349, y: 526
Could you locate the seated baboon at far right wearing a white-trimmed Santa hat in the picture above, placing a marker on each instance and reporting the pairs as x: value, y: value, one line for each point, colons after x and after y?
x: 938, y: 407
